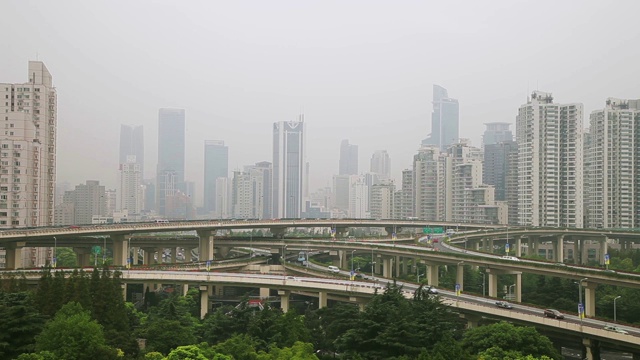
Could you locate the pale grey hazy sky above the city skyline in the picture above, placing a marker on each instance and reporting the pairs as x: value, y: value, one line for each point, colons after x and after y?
x: 359, y: 70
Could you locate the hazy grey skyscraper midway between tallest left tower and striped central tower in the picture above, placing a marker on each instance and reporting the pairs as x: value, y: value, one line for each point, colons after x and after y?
x: 216, y: 165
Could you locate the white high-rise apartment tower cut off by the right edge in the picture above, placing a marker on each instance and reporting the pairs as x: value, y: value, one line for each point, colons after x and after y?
x: 612, y: 192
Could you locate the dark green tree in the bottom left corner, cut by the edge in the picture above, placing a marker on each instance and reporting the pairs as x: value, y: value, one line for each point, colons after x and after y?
x: 20, y: 323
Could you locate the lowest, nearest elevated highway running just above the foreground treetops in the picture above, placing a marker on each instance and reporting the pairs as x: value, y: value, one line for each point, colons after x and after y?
x: 357, y: 292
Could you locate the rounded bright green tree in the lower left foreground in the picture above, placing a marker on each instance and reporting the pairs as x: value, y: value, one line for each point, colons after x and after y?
x: 73, y: 335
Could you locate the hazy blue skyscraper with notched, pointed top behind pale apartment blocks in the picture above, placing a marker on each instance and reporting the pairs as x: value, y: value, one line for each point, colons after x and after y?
x: 445, y: 120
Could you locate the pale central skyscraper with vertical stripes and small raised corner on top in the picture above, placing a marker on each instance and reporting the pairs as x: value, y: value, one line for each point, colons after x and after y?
x: 288, y: 168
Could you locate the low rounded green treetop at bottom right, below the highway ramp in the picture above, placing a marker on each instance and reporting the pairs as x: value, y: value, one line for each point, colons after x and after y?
x: 508, y: 337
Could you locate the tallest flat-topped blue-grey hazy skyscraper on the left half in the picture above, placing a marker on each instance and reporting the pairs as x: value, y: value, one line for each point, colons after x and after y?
x: 171, y: 150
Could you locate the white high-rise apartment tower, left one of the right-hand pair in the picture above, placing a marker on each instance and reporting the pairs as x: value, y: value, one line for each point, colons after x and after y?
x: 550, y: 157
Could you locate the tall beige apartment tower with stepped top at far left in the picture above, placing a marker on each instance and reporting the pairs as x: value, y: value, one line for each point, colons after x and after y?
x: 28, y: 147
